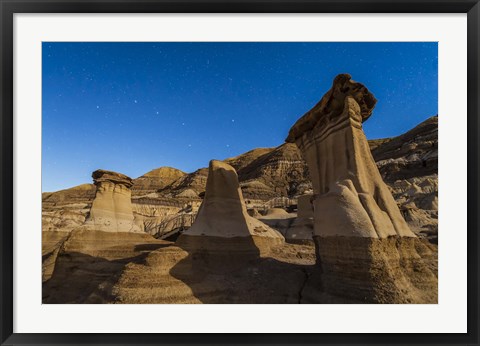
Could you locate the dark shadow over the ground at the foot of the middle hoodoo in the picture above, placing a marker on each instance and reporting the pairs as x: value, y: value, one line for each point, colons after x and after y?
x: 233, y: 277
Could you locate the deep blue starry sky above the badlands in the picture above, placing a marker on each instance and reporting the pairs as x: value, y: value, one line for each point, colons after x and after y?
x: 133, y: 107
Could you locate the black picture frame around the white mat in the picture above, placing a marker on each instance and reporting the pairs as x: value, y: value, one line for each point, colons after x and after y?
x: 7, y: 10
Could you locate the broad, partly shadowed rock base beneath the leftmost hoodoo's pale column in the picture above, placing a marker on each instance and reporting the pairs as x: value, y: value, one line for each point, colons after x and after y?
x: 89, y: 264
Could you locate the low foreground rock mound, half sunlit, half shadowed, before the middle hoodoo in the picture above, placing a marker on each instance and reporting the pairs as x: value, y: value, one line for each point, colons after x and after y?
x: 170, y: 275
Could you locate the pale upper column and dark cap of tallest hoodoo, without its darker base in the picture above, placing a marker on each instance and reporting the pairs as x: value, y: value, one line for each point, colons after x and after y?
x: 351, y: 197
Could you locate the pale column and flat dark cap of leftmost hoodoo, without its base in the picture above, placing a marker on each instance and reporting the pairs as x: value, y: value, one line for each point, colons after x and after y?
x: 112, y: 207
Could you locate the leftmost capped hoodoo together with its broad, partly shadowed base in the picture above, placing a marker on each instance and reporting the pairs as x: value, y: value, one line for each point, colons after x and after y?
x: 89, y: 261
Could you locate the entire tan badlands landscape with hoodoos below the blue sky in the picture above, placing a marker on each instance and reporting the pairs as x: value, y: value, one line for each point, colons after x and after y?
x: 358, y: 226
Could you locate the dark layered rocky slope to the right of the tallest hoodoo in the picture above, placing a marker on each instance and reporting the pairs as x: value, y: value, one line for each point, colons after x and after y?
x: 409, y: 165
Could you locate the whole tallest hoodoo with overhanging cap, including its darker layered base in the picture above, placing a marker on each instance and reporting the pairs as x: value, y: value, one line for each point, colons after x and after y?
x: 364, y: 246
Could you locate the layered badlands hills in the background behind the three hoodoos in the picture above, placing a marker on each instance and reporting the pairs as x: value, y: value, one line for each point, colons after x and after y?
x: 407, y: 163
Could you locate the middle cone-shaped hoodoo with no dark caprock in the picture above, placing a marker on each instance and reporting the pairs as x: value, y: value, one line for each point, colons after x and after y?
x: 223, y: 227
